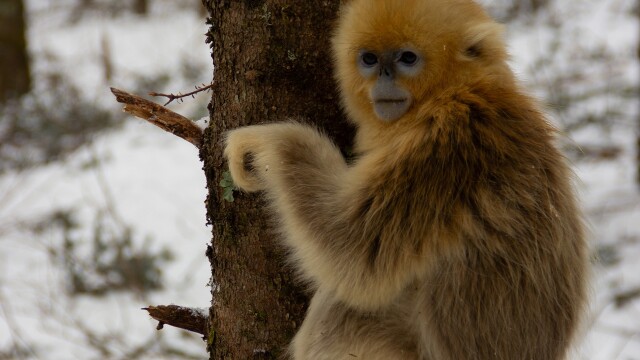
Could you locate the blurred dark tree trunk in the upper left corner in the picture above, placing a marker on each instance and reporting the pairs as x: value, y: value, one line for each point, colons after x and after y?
x: 14, y: 63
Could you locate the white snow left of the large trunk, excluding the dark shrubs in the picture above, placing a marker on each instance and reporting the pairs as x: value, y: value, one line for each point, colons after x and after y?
x: 150, y: 179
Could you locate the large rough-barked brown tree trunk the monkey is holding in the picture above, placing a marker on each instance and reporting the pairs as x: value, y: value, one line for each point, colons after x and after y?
x: 272, y: 62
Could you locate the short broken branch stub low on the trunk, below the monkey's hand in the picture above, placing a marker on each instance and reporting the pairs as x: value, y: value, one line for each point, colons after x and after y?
x: 181, y: 317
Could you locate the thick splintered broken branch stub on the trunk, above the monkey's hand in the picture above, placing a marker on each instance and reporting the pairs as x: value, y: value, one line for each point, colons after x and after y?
x: 160, y: 116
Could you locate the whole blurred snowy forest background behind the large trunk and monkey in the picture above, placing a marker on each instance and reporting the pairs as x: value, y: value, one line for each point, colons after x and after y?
x: 101, y: 215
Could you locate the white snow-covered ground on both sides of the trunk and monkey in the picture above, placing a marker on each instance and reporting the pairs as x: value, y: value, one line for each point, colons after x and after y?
x: 153, y: 181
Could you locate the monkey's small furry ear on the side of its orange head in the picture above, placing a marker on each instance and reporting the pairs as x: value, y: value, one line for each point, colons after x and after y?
x: 483, y: 40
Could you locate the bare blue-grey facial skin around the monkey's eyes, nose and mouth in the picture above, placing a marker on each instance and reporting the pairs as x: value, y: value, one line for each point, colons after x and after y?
x: 389, y: 97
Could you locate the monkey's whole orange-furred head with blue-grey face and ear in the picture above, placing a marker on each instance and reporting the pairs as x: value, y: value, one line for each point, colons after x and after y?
x: 392, y: 57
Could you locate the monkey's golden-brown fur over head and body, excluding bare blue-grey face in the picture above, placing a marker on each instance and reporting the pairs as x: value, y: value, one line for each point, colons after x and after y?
x: 455, y: 234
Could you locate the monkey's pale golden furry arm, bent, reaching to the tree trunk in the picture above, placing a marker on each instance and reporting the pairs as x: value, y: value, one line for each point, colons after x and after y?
x: 344, y: 230
